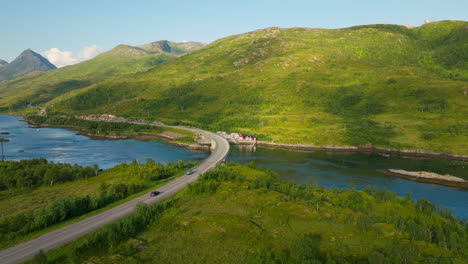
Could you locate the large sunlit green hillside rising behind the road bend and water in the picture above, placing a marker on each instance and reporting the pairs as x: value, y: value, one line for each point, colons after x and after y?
x: 384, y: 85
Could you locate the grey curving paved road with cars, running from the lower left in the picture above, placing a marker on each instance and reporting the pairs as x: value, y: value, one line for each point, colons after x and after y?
x: 61, y: 236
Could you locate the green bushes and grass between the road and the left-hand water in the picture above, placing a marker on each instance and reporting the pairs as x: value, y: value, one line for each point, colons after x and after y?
x: 108, y: 187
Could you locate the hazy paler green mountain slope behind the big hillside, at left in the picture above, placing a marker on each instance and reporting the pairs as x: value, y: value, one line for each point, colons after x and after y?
x: 39, y: 88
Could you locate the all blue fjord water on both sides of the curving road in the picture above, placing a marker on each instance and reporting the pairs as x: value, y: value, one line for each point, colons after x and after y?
x: 324, y: 168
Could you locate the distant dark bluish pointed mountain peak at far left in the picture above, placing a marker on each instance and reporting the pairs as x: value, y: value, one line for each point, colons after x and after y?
x: 28, y: 61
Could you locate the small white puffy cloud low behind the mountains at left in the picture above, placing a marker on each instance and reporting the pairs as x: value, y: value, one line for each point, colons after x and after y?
x: 62, y: 58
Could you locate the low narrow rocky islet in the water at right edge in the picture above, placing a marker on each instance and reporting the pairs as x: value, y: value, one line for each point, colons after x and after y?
x: 428, y: 177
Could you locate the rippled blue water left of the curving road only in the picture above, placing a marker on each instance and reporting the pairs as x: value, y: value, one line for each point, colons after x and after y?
x: 63, y: 145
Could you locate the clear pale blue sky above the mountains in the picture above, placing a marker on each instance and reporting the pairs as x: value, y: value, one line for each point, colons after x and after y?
x: 100, y: 24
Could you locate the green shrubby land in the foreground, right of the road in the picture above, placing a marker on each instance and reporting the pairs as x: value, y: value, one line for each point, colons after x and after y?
x: 237, y: 214
